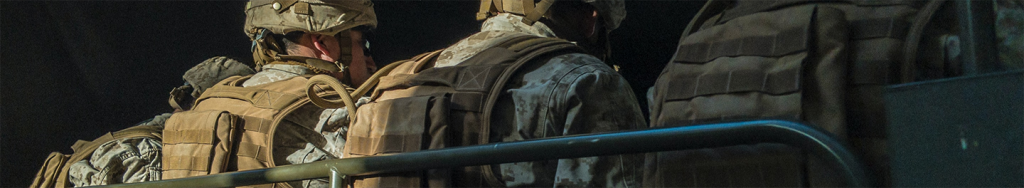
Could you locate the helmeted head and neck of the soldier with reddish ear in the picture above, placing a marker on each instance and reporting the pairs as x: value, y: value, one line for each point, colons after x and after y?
x: 315, y: 37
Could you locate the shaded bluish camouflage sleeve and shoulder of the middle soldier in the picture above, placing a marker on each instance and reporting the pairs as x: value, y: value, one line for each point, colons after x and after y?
x: 569, y: 96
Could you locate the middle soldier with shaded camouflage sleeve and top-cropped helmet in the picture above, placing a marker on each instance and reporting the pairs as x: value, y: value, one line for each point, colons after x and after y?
x: 558, y: 91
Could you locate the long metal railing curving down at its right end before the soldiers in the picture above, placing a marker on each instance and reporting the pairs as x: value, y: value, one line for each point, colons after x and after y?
x: 661, y: 139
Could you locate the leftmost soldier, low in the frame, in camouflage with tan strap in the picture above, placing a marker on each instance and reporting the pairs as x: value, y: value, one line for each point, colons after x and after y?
x: 125, y: 158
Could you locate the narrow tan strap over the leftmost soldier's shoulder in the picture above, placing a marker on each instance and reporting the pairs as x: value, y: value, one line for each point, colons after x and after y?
x: 84, y: 150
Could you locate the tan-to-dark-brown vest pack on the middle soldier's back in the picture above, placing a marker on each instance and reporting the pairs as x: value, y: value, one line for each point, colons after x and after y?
x: 417, y: 107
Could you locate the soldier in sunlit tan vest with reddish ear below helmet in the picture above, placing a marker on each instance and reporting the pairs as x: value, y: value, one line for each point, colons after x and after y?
x: 270, y: 121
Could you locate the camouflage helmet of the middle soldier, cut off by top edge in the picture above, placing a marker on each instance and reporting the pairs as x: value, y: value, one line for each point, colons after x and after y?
x: 613, y: 11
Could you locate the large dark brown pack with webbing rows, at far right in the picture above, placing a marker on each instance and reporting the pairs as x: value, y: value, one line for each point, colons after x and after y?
x: 826, y: 63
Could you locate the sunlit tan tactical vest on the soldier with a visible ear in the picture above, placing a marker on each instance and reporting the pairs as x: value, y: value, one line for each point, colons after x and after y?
x: 231, y: 128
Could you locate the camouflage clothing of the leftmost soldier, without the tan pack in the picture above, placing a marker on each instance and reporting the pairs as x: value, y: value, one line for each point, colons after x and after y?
x: 138, y: 160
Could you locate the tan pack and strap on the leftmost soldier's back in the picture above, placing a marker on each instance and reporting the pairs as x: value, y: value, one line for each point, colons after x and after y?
x: 56, y: 168
